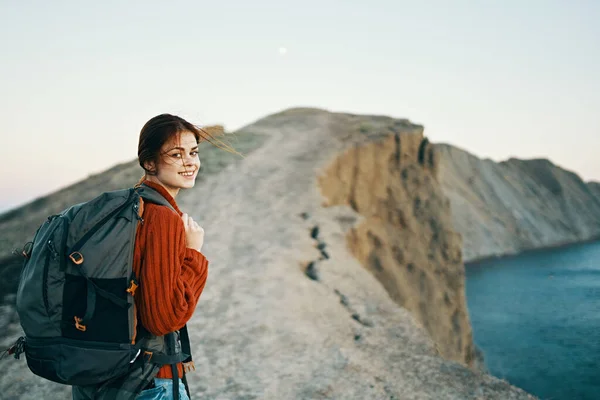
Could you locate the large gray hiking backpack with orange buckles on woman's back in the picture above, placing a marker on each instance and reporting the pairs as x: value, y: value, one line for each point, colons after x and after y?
x: 75, y: 296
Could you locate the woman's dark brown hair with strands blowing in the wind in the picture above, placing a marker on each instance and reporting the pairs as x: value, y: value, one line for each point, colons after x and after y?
x: 158, y: 130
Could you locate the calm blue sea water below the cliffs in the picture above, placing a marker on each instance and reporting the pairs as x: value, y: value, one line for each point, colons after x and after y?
x: 536, y: 317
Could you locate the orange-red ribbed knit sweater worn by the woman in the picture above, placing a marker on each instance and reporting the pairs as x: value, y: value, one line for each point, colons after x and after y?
x: 171, y: 275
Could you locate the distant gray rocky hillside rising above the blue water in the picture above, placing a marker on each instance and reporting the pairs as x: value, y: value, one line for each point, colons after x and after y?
x: 516, y: 205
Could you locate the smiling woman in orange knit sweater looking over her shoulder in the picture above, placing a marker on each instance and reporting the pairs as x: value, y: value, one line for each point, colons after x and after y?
x: 168, y: 257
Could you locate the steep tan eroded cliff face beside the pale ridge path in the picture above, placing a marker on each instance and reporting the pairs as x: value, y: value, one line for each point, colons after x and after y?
x: 405, y: 236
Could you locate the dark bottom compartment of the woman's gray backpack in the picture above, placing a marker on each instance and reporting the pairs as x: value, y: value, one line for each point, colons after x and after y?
x: 80, y: 363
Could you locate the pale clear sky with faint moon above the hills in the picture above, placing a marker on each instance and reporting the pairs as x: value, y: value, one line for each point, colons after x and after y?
x: 499, y: 79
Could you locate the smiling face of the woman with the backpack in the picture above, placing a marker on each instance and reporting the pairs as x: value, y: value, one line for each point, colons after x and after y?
x: 178, y: 163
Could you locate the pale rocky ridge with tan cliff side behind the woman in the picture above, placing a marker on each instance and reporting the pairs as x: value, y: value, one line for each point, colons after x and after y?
x: 335, y: 271
